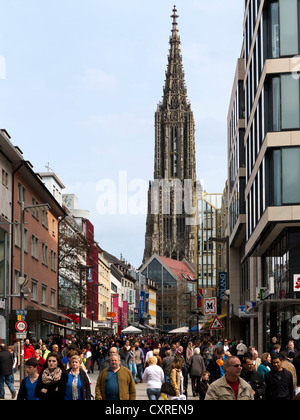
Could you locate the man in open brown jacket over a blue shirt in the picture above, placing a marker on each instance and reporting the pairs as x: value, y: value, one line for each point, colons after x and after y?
x: 115, y: 382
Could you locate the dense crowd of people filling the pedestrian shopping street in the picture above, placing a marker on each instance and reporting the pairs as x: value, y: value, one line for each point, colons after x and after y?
x: 217, y: 369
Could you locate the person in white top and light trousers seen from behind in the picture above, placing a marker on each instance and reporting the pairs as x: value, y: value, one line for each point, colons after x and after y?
x: 154, y: 376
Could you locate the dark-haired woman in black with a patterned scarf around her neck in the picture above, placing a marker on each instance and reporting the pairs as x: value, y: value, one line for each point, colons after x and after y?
x: 52, y: 380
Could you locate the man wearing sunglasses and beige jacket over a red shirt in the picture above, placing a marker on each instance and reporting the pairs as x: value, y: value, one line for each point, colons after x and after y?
x: 230, y: 386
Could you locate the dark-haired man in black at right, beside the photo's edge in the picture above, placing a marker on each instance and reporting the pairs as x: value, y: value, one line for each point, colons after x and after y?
x: 279, y: 382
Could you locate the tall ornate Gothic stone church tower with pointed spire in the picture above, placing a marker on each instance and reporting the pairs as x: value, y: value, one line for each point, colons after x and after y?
x: 171, y: 196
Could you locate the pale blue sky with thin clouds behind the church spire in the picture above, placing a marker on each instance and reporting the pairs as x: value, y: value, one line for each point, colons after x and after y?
x: 79, y: 86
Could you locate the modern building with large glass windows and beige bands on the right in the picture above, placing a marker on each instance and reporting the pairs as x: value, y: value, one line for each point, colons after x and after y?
x: 268, y: 252
